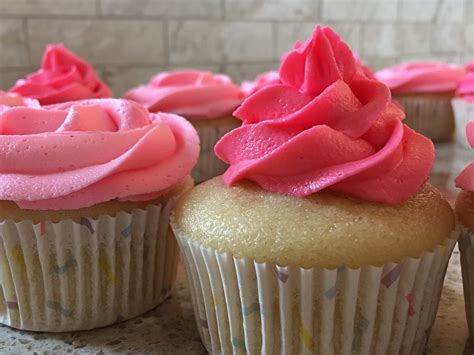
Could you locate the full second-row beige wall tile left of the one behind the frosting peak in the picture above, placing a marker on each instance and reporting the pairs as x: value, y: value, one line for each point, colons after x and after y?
x: 220, y: 41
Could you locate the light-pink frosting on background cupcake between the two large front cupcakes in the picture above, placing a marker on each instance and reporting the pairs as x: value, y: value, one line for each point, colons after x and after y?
x: 191, y: 93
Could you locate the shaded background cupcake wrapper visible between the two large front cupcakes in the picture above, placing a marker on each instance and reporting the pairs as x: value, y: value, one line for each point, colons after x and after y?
x: 209, y: 165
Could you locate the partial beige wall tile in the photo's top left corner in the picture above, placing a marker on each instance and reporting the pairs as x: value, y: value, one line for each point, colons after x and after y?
x: 48, y: 7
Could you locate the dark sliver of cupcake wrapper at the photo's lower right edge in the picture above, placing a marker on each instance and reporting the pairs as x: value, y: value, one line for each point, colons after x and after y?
x: 466, y: 243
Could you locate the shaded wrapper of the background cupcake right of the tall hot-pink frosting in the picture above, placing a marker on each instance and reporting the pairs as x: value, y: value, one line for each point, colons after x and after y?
x: 430, y: 116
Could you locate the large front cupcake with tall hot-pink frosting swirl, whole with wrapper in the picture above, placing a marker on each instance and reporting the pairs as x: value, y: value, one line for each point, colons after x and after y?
x: 322, y: 236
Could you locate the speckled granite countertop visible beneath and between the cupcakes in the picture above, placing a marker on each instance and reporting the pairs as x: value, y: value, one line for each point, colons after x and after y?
x: 170, y: 328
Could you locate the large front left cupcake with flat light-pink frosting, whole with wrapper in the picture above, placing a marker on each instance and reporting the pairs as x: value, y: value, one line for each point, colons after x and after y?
x: 86, y: 189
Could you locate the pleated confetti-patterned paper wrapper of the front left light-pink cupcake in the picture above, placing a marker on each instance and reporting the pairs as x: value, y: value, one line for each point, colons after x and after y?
x: 88, y: 273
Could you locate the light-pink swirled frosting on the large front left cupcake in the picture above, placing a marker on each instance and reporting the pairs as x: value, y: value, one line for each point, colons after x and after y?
x: 81, y: 153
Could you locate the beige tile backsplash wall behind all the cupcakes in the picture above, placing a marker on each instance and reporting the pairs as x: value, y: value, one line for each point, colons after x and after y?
x: 127, y: 41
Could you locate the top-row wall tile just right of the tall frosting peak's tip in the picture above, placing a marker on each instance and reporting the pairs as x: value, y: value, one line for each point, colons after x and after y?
x: 364, y: 10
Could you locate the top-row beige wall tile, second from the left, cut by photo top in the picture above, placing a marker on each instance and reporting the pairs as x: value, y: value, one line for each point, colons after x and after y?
x: 163, y: 8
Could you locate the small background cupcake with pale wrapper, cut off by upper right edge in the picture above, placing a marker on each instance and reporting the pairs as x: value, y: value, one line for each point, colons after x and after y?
x: 463, y: 105
